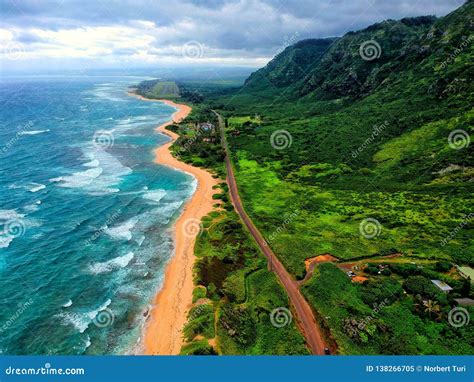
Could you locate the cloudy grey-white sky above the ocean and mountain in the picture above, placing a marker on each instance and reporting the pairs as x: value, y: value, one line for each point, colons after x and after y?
x: 36, y: 34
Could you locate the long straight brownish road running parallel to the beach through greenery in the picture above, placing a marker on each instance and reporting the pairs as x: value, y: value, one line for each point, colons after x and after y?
x: 304, y: 314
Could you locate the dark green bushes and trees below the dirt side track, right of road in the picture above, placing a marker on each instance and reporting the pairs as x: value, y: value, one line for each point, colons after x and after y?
x: 379, y: 318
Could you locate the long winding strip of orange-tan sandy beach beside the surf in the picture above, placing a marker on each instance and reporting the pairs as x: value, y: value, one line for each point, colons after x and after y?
x: 168, y: 314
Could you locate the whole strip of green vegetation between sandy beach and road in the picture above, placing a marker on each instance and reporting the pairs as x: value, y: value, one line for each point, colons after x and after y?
x: 235, y: 293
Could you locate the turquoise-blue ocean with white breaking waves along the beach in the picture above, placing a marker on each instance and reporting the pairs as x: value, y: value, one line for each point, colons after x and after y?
x: 85, y: 215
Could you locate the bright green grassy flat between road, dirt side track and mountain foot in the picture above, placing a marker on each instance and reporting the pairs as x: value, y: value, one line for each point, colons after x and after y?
x: 302, y: 221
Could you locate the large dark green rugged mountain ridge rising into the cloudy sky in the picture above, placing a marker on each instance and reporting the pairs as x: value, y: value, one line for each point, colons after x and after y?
x: 415, y: 80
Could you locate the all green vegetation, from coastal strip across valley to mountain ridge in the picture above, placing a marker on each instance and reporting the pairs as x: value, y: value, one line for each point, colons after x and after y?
x: 371, y: 158
